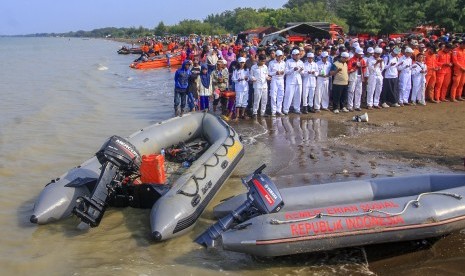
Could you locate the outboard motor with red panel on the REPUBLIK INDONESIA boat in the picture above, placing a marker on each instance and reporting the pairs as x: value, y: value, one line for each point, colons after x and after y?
x: 263, y: 197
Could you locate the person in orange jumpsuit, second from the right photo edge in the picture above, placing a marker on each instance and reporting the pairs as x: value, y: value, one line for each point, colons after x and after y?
x: 444, y: 75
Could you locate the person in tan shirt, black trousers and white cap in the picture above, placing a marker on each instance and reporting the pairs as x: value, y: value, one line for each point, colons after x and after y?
x: 340, y: 73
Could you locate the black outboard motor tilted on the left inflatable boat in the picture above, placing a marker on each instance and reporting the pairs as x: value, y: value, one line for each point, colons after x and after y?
x: 119, y: 159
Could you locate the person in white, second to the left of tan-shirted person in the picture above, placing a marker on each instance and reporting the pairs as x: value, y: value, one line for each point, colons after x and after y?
x: 309, y: 83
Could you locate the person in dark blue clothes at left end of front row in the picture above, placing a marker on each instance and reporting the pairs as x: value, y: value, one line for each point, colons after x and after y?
x: 181, y: 83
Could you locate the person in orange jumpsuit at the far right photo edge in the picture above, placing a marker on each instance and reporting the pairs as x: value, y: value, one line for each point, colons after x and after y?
x: 458, y: 78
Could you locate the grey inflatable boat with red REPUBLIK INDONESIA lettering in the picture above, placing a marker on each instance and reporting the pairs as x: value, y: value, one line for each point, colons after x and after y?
x: 354, y: 213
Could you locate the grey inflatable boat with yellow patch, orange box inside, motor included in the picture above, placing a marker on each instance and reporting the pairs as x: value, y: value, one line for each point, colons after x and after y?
x: 175, y: 207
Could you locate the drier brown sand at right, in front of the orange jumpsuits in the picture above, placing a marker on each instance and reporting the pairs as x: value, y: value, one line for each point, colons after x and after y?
x: 435, y: 132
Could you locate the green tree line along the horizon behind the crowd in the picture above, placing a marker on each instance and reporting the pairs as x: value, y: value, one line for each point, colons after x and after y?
x: 355, y: 16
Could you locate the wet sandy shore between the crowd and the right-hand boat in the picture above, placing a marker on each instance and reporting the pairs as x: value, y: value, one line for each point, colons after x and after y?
x: 395, y: 141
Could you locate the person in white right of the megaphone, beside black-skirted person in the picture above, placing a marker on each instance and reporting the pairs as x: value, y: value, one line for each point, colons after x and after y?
x: 375, y: 79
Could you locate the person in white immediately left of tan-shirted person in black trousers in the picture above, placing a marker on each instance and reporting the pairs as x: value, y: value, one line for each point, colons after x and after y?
x: 322, y: 83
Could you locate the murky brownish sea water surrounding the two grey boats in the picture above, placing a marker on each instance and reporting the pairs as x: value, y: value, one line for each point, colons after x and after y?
x: 61, y: 98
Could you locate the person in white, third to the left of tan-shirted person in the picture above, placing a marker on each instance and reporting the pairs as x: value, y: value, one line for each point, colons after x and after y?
x: 293, y: 92
